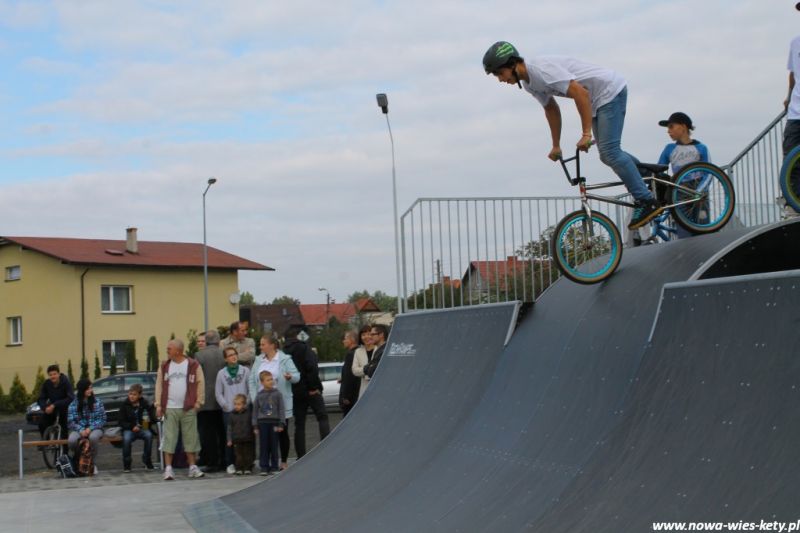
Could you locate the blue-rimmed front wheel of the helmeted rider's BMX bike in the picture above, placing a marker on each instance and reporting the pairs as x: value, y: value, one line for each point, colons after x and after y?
x: 587, y: 250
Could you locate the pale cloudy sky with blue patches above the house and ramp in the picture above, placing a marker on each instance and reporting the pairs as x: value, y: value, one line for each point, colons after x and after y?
x: 115, y: 114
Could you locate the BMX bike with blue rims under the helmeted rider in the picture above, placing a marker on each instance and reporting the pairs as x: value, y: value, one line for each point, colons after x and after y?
x: 586, y: 244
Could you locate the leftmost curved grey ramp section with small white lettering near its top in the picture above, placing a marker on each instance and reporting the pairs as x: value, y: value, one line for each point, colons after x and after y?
x: 431, y: 379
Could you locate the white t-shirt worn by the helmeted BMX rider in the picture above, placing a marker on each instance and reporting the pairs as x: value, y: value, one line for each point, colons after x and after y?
x: 550, y: 76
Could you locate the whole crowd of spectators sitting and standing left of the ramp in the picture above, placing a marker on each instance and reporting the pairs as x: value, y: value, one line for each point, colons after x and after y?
x: 218, y: 407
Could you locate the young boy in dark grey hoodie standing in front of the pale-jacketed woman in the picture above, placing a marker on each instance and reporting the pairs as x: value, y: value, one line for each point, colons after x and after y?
x: 268, y: 413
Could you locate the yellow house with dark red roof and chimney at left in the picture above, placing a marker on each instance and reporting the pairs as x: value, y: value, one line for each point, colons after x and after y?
x: 62, y: 298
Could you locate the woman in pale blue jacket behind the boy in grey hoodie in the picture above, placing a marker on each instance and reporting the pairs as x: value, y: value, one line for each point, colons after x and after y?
x: 285, y: 373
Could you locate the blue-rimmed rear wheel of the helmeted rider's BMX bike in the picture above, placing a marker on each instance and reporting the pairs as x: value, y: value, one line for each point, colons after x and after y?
x: 707, y: 198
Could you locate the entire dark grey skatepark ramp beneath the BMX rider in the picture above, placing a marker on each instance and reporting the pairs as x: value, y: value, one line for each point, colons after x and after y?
x: 646, y: 398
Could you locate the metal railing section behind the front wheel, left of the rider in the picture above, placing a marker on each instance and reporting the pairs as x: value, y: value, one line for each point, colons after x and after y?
x: 466, y: 251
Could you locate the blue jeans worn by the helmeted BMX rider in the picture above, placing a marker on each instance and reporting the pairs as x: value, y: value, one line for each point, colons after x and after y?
x: 607, y: 126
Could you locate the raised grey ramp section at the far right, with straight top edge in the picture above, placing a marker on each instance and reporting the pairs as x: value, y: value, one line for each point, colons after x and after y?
x: 711, y: 429
